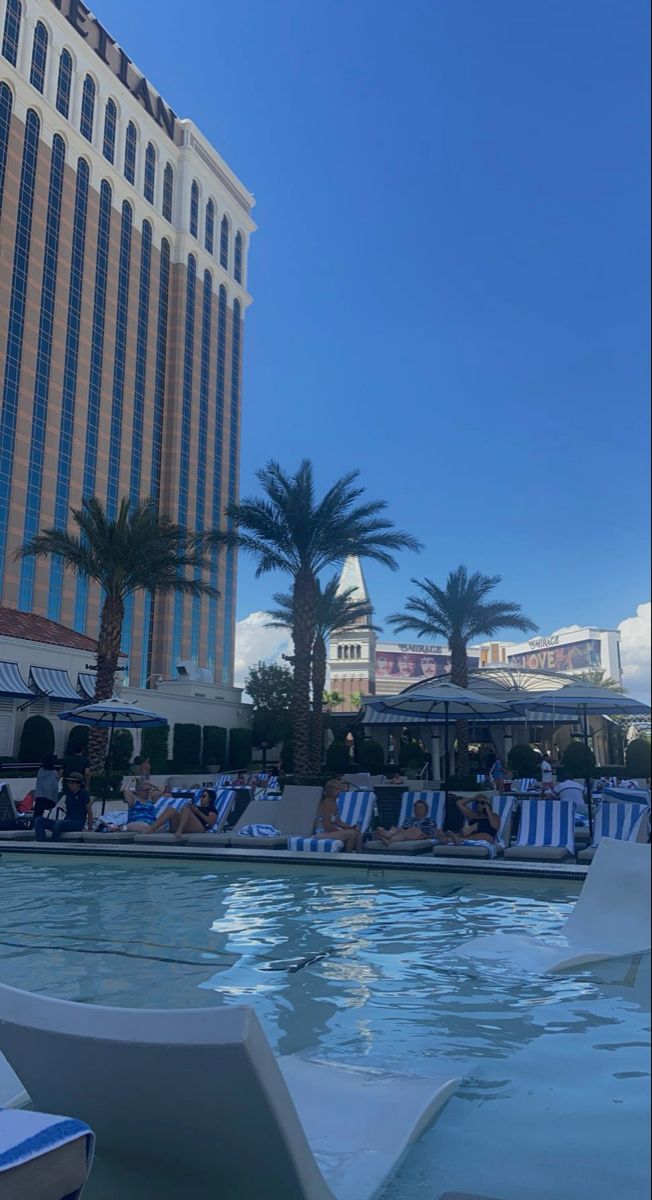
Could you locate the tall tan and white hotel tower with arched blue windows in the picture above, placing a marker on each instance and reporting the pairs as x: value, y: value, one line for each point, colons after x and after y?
x: 124, y: 242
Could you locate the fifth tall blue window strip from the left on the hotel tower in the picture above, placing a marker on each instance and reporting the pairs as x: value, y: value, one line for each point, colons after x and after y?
x: 95, y: 377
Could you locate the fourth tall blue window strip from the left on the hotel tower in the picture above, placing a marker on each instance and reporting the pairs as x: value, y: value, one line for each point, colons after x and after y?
x: 71, y: 362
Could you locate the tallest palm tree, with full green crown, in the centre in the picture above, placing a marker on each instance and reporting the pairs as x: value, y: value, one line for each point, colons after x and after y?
x: 290, y: 530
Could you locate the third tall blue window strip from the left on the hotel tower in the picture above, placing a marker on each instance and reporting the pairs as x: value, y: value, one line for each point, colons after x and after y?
x: 43, y: 373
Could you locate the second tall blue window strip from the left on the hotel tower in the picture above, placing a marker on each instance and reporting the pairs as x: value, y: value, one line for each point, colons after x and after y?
x: 16, y: 325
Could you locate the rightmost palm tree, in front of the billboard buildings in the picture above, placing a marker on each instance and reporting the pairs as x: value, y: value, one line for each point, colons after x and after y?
x: 459, y: 614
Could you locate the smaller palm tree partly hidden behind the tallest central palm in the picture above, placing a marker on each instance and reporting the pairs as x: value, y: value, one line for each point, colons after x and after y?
x: 334, y: 611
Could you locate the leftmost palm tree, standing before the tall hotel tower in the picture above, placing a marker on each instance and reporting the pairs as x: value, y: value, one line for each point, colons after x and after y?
x: 137, y: 551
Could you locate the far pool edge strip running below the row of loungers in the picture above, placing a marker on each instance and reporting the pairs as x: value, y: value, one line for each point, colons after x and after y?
x: 368, y: 865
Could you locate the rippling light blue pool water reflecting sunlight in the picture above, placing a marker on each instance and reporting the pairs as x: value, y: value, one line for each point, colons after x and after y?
x: 361, y: 968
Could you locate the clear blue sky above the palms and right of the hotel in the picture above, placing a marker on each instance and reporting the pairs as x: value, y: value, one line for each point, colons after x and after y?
x: 450, y: 277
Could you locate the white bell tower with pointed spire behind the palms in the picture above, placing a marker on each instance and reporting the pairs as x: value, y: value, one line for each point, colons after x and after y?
x: 352, y: 652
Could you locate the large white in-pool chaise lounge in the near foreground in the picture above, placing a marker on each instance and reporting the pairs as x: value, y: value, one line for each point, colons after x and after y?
x: 194, y: 1105
